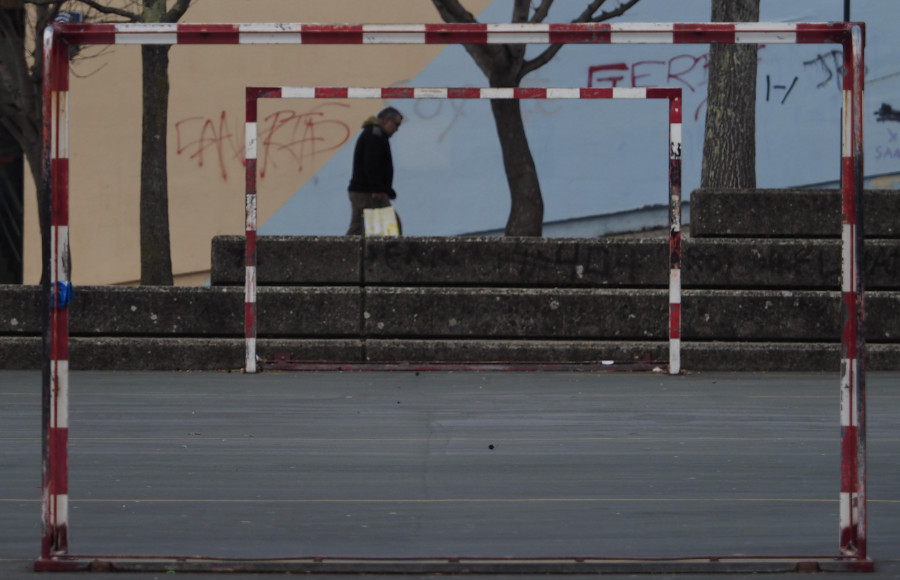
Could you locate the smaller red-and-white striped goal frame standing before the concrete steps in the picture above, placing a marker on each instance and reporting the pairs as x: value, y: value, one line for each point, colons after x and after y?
x: 254, y: 94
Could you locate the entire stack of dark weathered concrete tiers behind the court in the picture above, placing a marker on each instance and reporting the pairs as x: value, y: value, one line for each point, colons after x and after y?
x: 757, y: 296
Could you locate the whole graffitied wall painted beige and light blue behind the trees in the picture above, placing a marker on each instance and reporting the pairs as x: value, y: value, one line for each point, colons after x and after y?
x: 593, y: 157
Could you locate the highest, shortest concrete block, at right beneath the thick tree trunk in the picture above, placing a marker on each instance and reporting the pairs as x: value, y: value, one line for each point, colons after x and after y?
x: 810, y: 213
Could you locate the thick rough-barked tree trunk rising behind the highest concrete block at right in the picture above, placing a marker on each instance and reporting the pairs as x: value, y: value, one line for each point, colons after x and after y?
x: 729, y: 148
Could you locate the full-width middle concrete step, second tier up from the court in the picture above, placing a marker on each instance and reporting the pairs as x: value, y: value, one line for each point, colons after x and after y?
x: 431, y: 312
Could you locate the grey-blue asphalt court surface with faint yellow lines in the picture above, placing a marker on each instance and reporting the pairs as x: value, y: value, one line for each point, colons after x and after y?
x: 441, y: 464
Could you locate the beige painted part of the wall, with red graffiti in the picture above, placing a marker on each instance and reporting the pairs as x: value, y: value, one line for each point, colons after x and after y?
x: 206, y: 131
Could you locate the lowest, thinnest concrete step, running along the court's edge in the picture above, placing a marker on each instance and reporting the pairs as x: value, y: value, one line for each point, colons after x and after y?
x: 209, y: 354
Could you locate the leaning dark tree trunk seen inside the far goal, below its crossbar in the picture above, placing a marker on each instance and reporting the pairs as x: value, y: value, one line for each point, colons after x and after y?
x: 526, y: 216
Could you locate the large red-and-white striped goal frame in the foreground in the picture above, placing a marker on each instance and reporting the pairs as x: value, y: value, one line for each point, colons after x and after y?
x: 54, y: 192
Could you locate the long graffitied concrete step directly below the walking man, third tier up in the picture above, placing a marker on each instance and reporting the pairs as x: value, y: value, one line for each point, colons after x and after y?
x: 571, y: 263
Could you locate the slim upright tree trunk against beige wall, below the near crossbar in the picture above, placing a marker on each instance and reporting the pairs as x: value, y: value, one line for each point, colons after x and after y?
x: 156, y: 258
